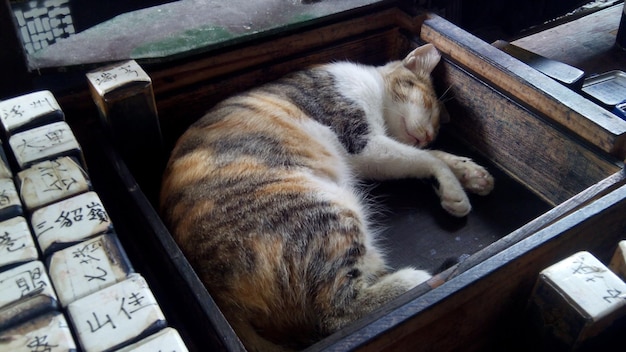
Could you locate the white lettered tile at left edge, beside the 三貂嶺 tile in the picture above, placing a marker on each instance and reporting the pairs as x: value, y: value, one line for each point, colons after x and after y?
x: 16, y: 242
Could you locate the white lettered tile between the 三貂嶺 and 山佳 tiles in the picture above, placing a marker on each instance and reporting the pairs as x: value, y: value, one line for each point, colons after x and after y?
x: 87, y: 267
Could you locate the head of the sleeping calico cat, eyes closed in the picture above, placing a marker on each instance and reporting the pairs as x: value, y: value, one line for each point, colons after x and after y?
x: 412, y: 110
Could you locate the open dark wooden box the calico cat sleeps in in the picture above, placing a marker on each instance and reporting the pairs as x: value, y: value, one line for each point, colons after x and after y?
x: 557, y: 159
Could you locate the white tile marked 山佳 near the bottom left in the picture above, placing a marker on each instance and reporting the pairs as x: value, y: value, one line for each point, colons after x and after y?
x: 116, y: 315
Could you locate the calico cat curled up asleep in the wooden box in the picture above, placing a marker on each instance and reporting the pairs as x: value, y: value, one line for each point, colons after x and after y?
x: 261, y: 194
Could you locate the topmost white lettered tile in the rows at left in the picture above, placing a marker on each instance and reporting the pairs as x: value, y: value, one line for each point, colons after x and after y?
x: 28, y: 110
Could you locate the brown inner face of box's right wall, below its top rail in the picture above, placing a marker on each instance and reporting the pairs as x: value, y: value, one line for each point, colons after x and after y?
x: 530, y: 149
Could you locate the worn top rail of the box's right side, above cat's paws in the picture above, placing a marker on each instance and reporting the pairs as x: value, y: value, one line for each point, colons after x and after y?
x: 536, y: 91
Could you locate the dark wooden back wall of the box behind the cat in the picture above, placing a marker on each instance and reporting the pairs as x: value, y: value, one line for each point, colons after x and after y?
x: 184, y: 88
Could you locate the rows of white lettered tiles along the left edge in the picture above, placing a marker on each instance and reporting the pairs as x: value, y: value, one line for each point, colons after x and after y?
x: 65, y: 279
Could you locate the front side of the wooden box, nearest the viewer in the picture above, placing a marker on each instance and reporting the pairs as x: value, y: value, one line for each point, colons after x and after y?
x: 482, y: 307
